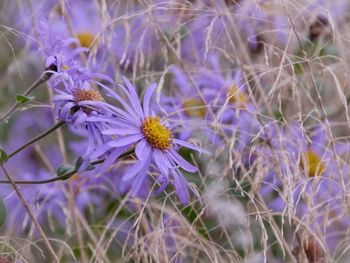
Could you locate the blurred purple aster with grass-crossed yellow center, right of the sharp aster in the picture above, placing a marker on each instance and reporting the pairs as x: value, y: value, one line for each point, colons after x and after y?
x: 228, y: 97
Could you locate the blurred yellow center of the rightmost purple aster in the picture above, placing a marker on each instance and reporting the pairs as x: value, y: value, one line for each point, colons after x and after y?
x: 312, y: 164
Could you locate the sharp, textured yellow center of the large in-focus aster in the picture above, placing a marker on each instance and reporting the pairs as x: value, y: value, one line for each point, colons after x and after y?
x: 157, y: 134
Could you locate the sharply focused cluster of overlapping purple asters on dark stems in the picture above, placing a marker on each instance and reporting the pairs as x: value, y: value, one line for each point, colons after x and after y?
x: 112, y: 130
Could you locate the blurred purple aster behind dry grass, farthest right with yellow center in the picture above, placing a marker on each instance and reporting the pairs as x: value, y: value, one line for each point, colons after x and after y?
x: 301, y: 159
